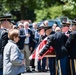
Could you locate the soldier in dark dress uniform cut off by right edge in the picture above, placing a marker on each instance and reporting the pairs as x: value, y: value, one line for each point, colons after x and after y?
x: 71, y: 46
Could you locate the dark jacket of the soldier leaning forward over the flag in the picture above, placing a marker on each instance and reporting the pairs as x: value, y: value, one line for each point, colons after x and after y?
x: 57, y: 41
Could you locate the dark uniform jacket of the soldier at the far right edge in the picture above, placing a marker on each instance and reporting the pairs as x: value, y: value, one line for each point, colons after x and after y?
x: 71, y: 44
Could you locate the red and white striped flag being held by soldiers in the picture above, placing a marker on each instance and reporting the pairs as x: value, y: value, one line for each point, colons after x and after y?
x: 35, y: 54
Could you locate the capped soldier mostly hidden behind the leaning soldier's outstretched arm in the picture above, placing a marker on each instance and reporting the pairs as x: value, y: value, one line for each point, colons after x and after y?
x: 51, y: 60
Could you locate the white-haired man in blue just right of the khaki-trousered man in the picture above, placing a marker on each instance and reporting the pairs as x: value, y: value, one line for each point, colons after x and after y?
x: 35, y: 43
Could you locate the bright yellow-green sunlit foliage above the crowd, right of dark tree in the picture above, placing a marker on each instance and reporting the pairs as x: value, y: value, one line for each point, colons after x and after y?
x: 48, y: 13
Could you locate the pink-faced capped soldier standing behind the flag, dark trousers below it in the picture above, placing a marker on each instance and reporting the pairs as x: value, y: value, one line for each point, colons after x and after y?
x: 41, y: 66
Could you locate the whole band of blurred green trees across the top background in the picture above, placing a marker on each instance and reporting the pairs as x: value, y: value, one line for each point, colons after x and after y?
x: 37, y: 10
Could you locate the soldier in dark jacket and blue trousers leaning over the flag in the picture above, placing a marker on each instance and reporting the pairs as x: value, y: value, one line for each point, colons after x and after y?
x: 57, y: 41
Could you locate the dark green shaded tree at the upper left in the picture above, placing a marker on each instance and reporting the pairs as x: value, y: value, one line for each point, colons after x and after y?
x: 22, y: 7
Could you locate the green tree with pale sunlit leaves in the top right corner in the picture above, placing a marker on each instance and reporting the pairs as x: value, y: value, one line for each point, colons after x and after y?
x: 69, y: 8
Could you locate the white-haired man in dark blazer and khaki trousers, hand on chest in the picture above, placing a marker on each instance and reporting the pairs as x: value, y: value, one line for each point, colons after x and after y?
x: 28, y: 45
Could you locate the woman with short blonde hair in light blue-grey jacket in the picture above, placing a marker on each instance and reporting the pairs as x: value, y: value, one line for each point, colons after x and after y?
x: 13, y: 59
